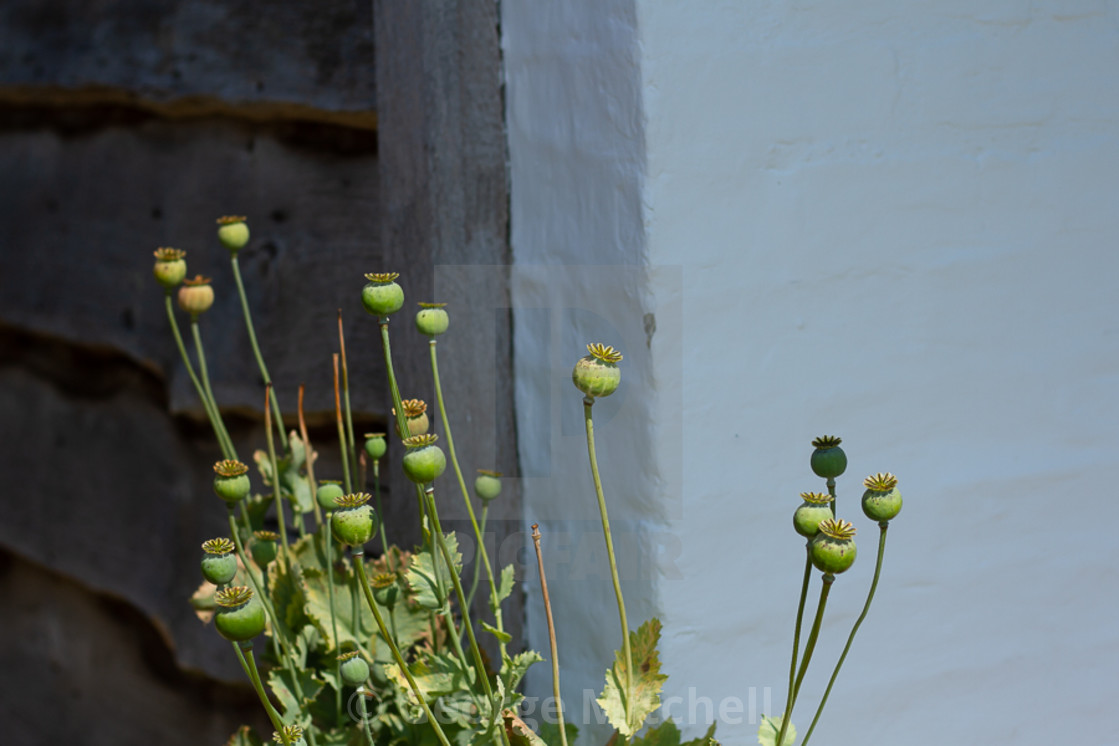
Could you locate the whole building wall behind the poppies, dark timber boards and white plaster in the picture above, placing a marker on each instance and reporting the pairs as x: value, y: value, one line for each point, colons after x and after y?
x: 889, y: 222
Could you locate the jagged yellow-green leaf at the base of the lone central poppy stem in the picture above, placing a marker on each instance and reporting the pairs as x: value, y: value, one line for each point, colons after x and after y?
x: 647, y: 681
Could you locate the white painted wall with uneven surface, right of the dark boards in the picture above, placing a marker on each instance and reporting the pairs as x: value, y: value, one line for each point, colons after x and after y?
x: 891, y: 222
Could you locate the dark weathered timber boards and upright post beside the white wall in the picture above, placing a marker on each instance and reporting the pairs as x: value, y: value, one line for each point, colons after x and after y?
x: 356, y: 139
